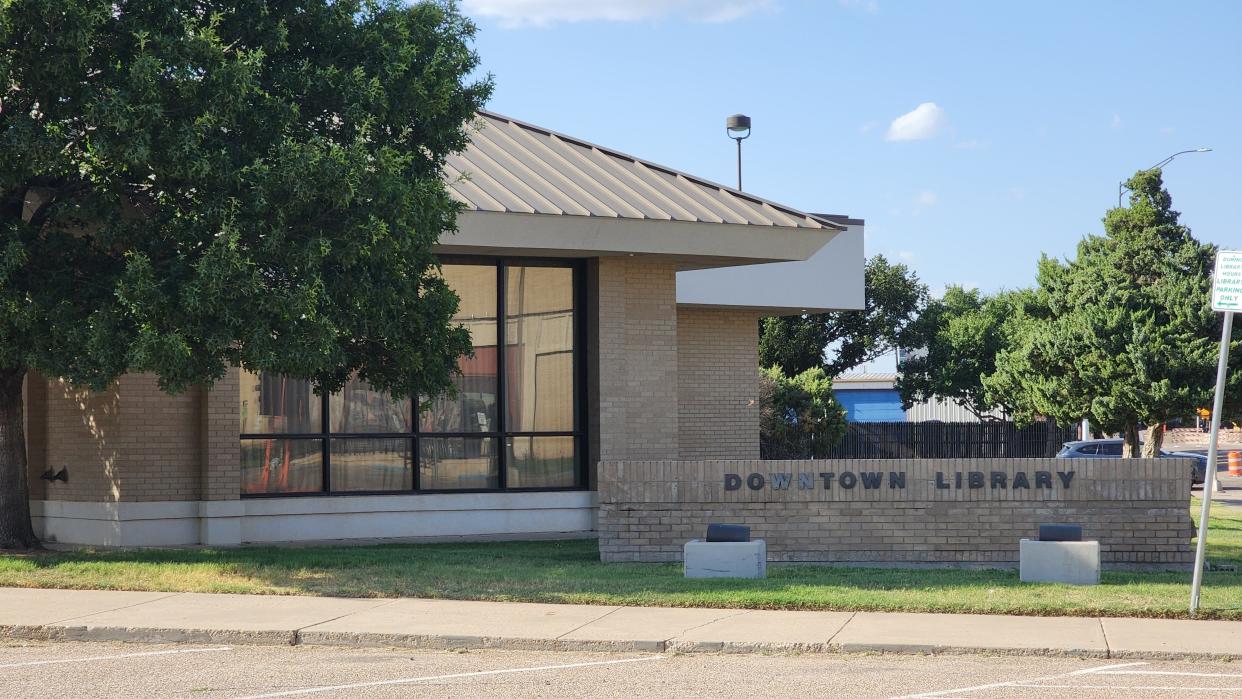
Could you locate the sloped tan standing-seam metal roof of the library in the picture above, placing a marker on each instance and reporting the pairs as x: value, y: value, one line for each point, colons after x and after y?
x: 514, y: 167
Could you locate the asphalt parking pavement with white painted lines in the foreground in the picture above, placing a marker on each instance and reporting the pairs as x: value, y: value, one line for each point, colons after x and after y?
x: 107, y: 671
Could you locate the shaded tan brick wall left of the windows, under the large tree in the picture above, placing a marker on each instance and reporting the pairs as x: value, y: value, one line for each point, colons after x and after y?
x: 137, y: 444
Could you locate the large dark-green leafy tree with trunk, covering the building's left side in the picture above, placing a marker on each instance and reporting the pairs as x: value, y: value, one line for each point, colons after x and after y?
x: 193, y: 184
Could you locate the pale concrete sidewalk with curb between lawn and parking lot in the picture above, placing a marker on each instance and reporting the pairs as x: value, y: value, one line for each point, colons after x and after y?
x: 440, y: 624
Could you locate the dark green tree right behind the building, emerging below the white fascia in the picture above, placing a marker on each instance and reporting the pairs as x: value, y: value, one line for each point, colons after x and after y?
x: 841, y: 341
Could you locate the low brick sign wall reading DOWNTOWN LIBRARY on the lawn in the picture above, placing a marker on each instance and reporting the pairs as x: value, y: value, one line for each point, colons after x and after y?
x: 900, y: 511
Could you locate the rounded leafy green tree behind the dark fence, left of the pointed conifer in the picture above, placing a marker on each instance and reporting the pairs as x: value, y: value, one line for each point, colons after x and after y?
x: 958, y: 338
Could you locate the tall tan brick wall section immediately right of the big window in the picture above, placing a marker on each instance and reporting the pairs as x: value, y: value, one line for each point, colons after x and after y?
x: 635, y: 359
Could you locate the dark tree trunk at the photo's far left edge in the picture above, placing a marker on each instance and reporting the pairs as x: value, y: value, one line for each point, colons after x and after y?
x: 16, y: 528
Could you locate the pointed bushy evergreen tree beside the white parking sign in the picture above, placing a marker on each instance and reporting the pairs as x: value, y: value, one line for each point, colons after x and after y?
x: 1123, y: 333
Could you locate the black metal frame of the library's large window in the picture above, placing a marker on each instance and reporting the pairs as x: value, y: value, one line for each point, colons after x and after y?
x: 500, y: 436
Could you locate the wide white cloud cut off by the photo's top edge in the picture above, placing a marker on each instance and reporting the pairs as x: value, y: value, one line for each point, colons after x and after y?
x: 542, y: 13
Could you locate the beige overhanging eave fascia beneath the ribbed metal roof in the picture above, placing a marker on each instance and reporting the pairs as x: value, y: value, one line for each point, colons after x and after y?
x: 695, y: 245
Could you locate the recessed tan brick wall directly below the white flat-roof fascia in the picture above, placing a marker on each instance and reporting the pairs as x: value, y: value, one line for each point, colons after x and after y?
x: 718, y: 384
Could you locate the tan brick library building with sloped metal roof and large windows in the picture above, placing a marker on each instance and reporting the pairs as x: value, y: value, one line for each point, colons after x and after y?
x: 614, y: 307
